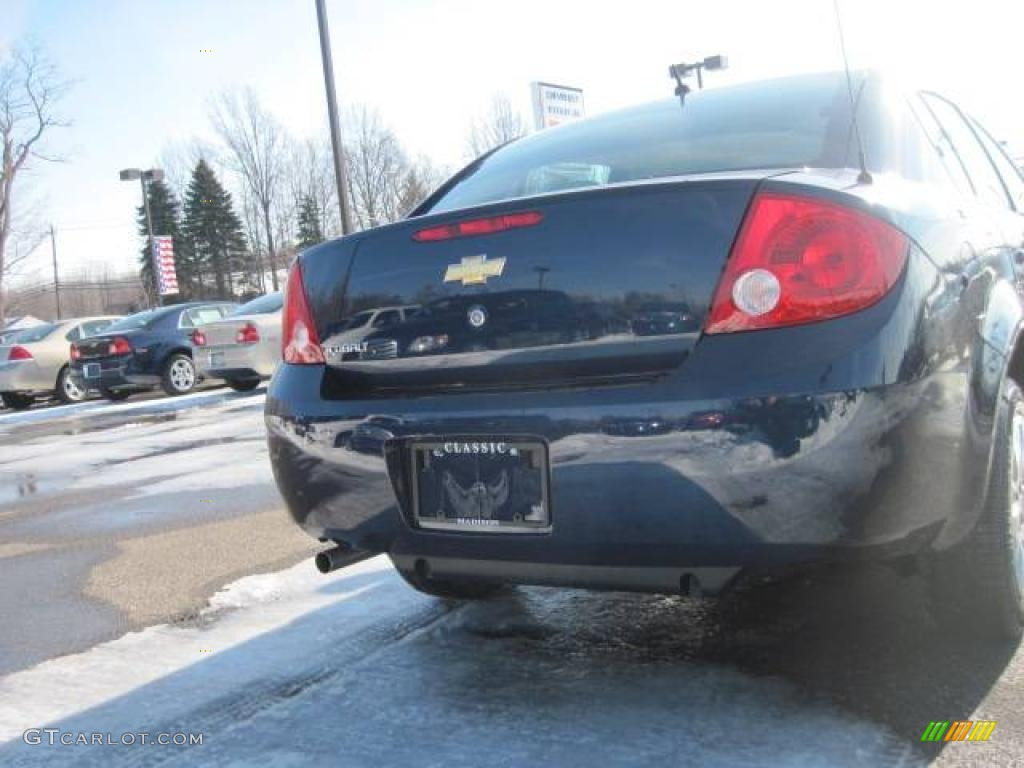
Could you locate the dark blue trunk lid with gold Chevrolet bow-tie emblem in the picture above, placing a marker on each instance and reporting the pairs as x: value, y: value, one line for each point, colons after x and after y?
x: 611, y: 286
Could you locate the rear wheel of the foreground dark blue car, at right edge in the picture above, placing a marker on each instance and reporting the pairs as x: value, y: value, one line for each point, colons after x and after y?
x: 978, y: 587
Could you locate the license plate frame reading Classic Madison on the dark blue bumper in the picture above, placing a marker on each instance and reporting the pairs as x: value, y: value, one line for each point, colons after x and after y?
x: 525, y: 463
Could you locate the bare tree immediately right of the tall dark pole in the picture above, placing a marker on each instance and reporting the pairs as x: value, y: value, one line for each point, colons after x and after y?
x: 377, y: 167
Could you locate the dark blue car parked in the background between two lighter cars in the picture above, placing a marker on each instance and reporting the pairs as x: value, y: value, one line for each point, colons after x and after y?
x: 145, y: 351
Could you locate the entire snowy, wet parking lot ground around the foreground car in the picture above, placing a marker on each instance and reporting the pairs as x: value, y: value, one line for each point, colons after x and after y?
x: 153, y: 583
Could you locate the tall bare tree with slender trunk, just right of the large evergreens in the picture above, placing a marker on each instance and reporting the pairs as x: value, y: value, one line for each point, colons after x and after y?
x: 259, y: 147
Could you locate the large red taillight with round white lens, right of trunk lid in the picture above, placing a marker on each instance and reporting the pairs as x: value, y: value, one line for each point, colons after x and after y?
x: 800, y: 261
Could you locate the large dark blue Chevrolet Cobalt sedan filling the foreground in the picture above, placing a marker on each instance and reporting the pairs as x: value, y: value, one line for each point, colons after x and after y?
x: 850, y: 387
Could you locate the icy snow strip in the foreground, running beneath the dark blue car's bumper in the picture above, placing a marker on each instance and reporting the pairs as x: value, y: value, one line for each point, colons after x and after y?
x: 358, y: 670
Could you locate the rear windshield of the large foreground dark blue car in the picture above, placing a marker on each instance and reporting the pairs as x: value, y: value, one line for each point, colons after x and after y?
x: 793, y: 122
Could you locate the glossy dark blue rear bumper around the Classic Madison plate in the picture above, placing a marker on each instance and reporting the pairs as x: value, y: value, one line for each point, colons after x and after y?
x: 734, y: 483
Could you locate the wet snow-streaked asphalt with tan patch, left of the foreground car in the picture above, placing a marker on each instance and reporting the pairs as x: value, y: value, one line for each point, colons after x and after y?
x: 110, y: 519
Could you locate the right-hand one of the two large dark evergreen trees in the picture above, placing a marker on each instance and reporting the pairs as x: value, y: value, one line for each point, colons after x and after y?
x: 214, y: 231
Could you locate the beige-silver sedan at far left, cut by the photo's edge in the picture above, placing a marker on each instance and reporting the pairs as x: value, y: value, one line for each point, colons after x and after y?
x: 34, y: 362
